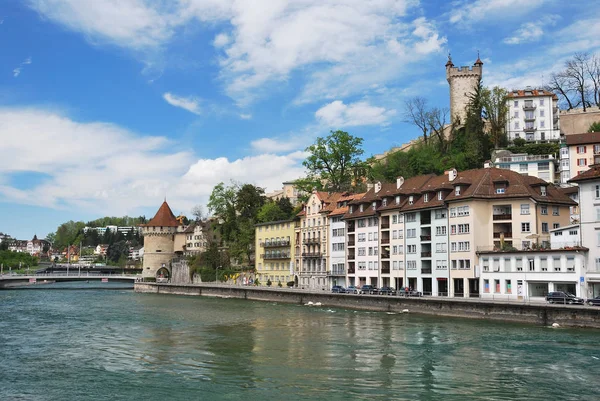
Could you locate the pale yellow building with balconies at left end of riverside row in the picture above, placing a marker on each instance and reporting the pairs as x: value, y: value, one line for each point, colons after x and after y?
x: 275, y: 252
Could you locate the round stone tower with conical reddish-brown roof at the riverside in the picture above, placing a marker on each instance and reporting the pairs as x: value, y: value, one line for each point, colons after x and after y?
x: 159, y: 242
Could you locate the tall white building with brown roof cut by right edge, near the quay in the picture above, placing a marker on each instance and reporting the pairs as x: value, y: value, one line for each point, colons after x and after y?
x: 589, y: 208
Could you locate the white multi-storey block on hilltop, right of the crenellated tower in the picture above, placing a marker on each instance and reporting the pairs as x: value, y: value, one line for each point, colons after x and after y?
x: 533, y: 115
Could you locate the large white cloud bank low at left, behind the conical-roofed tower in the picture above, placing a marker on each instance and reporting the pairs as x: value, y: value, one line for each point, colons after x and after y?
x: 103, y: 169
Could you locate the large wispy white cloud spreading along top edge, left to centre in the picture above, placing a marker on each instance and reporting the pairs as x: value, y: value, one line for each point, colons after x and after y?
x: 343, y: 46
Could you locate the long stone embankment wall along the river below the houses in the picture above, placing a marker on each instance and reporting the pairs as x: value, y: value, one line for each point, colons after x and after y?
x: 543, y: 314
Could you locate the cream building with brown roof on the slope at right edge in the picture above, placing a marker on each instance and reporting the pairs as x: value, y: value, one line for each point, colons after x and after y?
x: 583, y: 151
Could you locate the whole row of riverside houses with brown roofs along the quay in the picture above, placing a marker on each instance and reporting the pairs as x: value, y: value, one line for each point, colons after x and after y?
x: 487, y: 232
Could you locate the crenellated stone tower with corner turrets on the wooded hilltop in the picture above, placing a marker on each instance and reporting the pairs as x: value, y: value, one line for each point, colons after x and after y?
x: 462, y: 81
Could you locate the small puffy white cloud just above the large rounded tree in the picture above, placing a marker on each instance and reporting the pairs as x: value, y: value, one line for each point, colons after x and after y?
x: 337, y: 114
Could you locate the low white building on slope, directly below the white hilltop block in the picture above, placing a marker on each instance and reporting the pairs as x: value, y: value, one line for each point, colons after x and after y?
x: 540, y: 166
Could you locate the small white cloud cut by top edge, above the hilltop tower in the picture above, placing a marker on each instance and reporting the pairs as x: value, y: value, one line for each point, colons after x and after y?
x: 468, y: 11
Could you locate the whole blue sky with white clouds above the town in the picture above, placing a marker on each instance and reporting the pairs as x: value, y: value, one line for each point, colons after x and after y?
x: 106, y: 107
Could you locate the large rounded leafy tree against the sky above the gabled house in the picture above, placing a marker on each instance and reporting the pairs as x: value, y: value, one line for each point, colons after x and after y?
x: 335, y: 160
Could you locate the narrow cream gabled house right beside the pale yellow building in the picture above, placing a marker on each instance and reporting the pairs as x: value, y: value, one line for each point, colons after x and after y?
x: 311, y: 236
